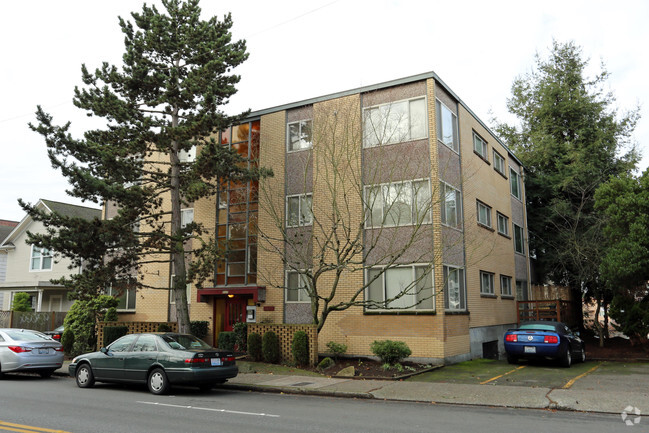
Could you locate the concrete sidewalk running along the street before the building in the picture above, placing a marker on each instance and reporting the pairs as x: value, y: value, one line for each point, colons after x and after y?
x: 588, y: 397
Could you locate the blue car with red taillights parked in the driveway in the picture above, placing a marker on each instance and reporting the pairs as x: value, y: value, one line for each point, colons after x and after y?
x: 544, y: 339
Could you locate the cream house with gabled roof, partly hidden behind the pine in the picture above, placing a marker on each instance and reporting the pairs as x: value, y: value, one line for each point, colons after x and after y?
x: 29, y: 268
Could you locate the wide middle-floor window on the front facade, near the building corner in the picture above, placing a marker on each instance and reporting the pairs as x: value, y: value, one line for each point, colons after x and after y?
x: 397, y: 204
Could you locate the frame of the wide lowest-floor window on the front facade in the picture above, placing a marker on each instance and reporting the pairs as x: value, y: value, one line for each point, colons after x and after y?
x: 413, y: 274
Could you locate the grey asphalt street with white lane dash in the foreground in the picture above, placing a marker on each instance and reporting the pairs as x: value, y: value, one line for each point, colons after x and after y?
x: 28, y: 403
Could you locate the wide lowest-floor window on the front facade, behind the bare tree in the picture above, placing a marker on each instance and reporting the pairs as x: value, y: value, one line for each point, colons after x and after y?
x: 403, y: 287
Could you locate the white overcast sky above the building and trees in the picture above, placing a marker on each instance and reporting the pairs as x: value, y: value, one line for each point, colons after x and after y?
x: 303, y: 49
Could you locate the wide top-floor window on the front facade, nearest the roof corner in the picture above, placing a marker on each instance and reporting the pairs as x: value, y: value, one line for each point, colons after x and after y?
x: 395, y: 122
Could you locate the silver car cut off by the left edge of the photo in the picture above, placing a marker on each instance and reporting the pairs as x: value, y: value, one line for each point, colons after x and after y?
x: 24, y: 350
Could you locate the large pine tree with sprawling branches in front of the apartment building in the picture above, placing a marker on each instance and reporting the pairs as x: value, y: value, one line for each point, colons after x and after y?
x: 161, y: 105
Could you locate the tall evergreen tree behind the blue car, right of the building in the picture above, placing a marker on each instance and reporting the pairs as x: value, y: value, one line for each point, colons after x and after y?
x: 570, y: 139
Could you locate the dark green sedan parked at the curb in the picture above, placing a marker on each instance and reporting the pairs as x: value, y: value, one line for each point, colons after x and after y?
x: 158, y: 359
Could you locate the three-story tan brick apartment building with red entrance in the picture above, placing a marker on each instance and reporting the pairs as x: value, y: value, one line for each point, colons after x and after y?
x: 475, y: 236
